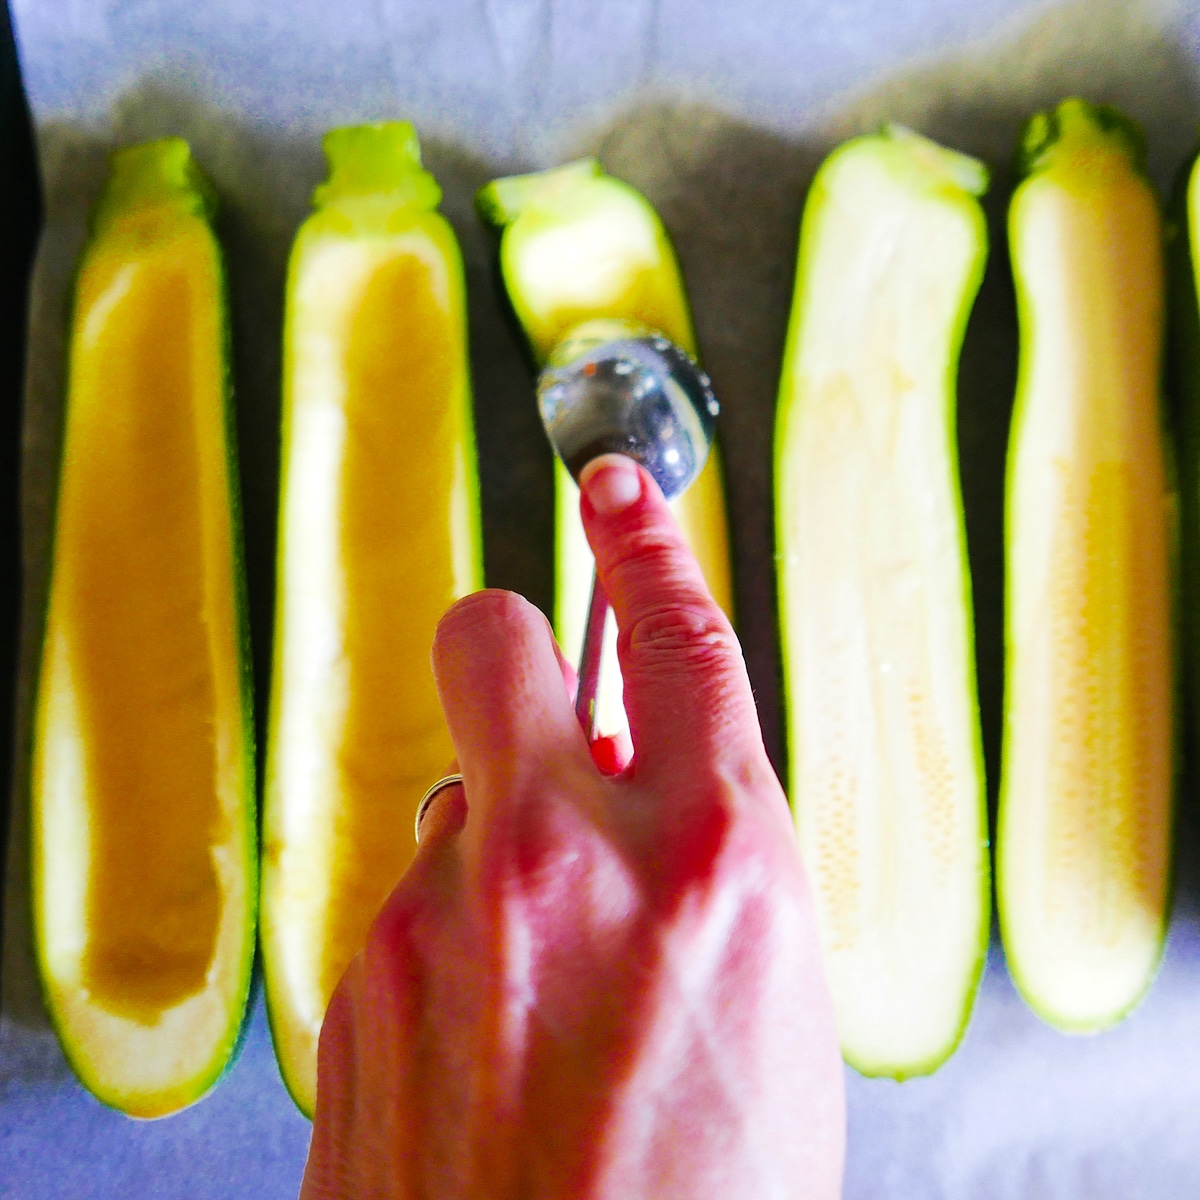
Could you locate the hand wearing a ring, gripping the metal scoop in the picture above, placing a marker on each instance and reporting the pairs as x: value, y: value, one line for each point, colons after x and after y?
x: 591, y: 986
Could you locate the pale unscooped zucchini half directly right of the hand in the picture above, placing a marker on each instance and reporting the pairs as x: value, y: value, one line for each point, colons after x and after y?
x: 875, y: 598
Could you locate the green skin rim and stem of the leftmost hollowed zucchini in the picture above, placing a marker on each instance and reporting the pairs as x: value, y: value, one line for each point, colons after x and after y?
x: 164, y: 175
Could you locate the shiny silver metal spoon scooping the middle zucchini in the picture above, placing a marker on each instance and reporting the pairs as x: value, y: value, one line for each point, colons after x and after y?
x: 611, y: 387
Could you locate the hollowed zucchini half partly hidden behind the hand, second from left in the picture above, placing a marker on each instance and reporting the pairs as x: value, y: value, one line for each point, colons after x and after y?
x: 379, y: 535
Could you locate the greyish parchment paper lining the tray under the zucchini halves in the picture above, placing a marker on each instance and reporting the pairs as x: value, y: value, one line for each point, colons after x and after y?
x: 721, y: 113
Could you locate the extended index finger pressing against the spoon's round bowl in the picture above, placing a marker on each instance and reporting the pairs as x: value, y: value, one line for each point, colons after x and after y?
x: 687, y: 693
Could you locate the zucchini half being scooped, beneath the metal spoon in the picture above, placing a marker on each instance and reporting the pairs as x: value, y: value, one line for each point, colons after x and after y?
x: 578, y: 245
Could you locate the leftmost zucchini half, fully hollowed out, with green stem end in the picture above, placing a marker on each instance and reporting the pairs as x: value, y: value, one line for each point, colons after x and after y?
x: 142, y: 783
